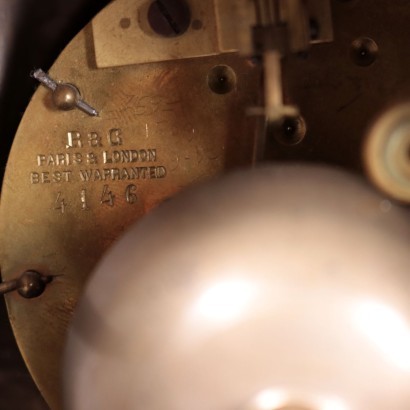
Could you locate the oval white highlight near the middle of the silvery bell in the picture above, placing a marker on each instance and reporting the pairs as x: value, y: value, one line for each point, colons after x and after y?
x: 226, y: 300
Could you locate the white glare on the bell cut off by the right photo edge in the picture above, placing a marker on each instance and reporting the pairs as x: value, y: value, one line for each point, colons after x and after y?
x: 387, y: 330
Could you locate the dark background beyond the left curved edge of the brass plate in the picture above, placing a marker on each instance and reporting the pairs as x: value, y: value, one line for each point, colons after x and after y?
x: 32, y: 35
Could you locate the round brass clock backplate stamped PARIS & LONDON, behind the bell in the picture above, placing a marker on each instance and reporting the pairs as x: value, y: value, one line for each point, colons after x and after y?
x: 135, y: 110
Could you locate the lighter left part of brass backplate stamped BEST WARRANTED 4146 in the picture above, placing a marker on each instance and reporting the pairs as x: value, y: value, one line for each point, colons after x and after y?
x: 70, y: 188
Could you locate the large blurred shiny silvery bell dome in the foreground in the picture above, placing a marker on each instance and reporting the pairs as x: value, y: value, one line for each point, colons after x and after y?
x: 278, y: 288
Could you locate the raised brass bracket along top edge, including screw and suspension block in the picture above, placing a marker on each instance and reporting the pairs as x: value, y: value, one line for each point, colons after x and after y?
x: 215, y: 26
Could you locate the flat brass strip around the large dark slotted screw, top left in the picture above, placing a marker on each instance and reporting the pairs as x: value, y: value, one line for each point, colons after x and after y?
x: 125, y: 25
